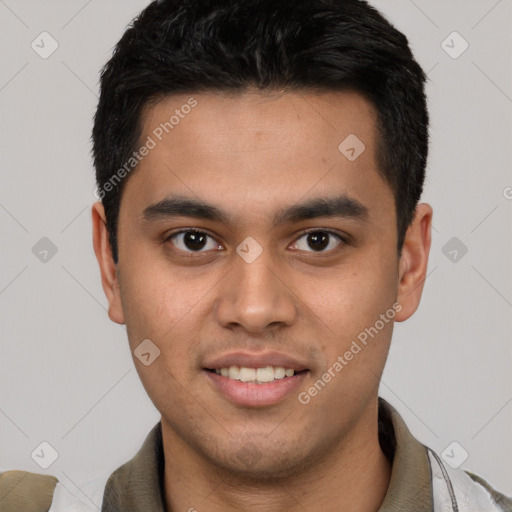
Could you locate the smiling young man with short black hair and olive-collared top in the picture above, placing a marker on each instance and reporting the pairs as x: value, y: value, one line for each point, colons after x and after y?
x: 259, y: 166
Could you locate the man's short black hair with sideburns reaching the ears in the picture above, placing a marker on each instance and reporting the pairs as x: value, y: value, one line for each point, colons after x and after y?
x: 190, y: 46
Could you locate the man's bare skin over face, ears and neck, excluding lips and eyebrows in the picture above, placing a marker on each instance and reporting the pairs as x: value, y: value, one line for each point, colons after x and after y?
x: 252, y: 155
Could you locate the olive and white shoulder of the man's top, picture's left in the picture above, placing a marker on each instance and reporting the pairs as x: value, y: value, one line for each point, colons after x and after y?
x: 32, y: 492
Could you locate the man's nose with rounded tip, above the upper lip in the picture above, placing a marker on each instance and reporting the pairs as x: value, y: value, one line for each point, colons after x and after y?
x: 255, y: 296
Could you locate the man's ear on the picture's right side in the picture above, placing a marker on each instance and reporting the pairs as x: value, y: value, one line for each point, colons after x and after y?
x: 413, y: 262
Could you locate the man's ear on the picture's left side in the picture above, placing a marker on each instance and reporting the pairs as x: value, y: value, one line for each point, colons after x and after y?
x: 108, y: 268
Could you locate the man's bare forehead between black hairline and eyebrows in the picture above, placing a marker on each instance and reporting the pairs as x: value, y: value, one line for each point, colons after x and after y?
x: 259, y: 149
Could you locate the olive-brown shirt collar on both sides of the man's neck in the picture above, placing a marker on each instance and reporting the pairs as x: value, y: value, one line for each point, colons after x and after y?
x: 138, y: 484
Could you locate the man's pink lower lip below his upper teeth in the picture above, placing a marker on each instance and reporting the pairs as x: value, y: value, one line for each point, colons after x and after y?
x: 255, y: 395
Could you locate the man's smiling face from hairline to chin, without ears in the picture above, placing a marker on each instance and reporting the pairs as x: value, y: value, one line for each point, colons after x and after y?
x: 207, y: 302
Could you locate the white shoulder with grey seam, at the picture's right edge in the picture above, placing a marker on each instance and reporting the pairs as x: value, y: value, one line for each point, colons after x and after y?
x: 456, y: 489
